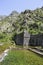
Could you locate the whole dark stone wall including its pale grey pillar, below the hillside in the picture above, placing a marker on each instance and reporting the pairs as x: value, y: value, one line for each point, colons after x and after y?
x: 27, y: 39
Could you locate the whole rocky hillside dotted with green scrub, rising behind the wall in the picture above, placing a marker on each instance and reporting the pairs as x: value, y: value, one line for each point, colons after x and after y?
x: 16, y: 23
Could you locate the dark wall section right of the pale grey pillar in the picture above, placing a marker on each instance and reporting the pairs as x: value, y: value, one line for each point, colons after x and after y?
x: 36, y: 40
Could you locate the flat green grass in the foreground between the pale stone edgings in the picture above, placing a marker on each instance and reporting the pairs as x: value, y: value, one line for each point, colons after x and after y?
x: 22, y: 57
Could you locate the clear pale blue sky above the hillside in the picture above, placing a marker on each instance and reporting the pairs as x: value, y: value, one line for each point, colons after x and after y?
x: 7, y: 6
